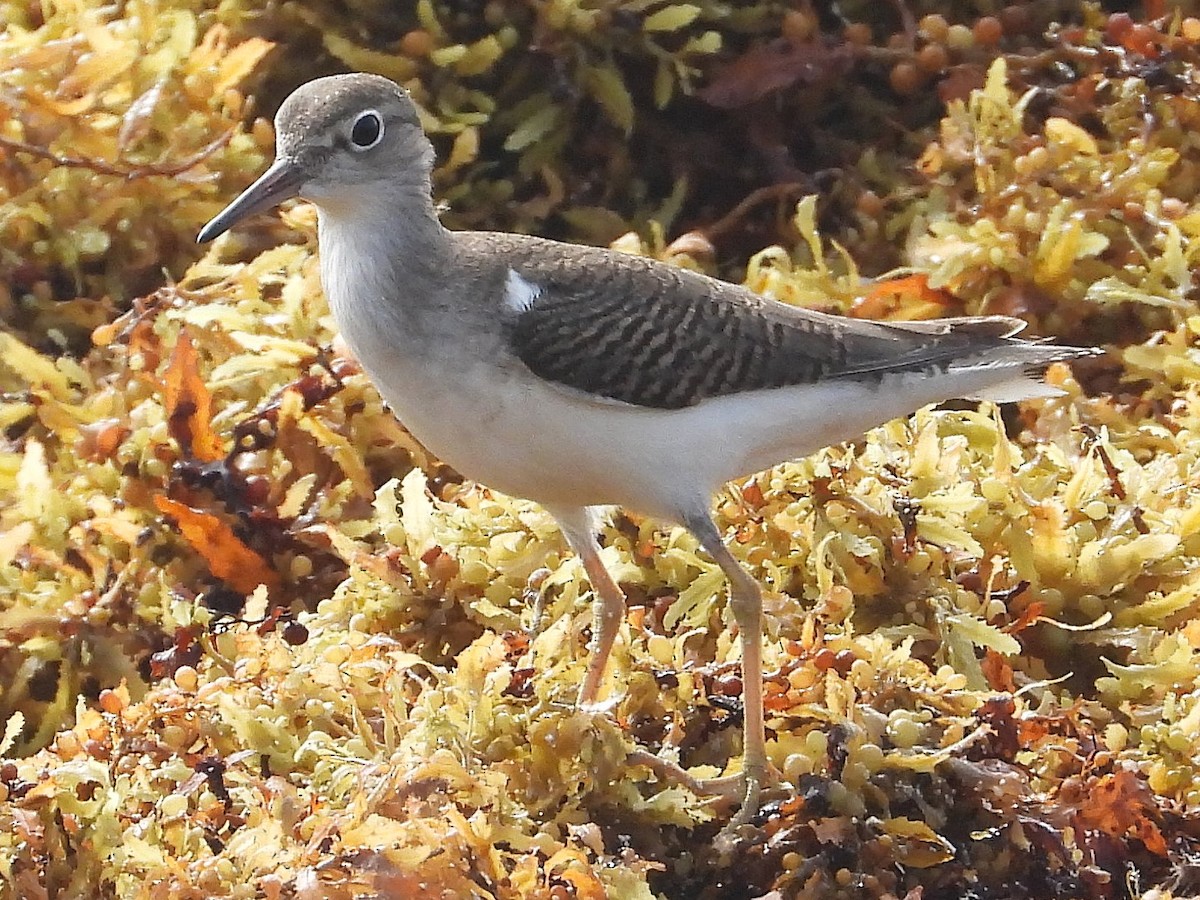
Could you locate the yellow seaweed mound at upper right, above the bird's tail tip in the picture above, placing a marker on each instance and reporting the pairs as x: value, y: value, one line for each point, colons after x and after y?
x: 1064, y: 191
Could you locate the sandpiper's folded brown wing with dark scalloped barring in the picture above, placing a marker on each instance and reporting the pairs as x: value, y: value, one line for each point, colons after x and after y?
x: 653, y: 335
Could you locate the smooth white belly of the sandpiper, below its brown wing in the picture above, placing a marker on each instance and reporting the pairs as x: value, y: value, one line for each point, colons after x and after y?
x: 533, y: 440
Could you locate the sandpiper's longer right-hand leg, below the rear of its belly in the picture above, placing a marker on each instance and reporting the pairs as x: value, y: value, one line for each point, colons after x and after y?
x: 746, y: 599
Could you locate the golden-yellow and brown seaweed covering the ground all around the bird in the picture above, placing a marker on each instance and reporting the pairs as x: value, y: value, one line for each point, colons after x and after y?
x: 257, y: 643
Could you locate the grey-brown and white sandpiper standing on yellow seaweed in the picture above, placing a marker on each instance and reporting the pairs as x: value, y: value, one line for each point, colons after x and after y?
x: 585, y: 379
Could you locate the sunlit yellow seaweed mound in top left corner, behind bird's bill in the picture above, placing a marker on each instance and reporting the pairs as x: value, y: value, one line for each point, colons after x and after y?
x: 119, y: 128
